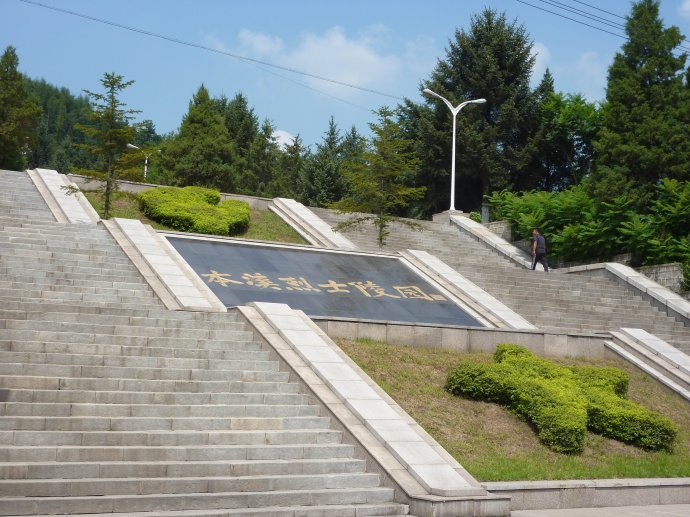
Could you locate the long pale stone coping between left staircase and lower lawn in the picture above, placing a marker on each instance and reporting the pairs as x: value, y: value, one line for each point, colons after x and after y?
x: 426, y: 462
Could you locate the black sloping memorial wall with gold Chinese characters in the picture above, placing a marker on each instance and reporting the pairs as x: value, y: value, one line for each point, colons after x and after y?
x: 321, y: 283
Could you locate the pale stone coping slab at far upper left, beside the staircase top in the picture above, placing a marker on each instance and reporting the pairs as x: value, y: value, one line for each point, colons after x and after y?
x: 66, y: 207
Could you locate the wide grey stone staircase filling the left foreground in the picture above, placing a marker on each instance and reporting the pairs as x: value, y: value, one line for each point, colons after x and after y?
x: 111, y: 404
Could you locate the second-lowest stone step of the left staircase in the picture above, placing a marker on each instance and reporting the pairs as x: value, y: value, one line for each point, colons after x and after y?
x: 194, y: 501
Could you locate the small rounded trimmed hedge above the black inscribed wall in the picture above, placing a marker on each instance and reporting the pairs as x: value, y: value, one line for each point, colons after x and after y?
x: 195, y: 209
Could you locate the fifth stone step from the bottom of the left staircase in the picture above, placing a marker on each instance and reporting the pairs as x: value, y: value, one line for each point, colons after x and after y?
x: 69, y: 454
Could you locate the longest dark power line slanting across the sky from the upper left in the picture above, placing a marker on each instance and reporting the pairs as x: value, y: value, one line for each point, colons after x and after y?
x: 210, y: 49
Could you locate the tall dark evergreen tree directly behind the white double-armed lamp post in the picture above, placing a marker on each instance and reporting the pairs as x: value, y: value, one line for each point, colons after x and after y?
x: 493, y: 60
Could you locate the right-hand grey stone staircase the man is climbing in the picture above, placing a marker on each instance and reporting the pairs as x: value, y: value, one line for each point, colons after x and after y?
x: 554, y: 302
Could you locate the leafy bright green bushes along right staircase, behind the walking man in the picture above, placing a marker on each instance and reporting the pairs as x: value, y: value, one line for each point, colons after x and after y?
x: 581, y: 228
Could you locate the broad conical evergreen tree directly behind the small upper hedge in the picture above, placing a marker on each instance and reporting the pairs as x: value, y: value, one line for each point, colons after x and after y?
x: 202, y: 151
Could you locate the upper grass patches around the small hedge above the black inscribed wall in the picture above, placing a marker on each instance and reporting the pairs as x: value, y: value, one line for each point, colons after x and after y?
x: 263, y: 225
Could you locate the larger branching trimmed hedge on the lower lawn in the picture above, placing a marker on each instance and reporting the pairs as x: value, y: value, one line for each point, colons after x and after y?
x: 562, y: 402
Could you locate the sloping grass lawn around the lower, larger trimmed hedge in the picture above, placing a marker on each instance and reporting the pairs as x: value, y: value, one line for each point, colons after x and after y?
x: 494, y: 444
